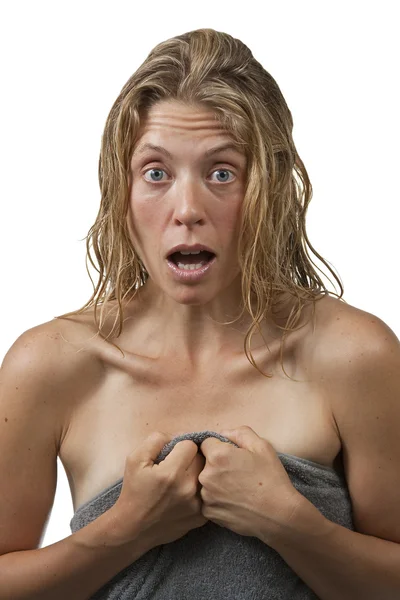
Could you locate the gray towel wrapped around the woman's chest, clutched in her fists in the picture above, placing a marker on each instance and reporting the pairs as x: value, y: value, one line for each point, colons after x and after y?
x: 213, y: 561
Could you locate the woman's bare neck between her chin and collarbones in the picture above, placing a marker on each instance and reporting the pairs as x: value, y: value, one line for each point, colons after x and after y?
x: 196, y: 334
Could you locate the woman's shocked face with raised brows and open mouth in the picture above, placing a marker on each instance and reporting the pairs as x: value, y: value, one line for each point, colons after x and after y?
x: 186, y: 195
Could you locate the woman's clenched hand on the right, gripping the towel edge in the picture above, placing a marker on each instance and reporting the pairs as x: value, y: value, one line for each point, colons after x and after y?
x: 246, y: 489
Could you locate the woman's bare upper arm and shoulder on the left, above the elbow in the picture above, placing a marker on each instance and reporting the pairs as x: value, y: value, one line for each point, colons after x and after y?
x: 42, y: 375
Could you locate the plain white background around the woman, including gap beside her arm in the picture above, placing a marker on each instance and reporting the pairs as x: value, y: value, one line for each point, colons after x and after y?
x: 64, y: 64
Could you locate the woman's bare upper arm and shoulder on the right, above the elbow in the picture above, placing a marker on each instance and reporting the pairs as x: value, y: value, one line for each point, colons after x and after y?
x: 359, y: 364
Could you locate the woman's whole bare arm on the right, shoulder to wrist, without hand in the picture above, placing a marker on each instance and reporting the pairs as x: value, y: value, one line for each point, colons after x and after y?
x: 363, y: 379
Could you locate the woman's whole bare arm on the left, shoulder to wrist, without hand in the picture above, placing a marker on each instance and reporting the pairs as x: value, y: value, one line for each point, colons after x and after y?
x: 36, y: 377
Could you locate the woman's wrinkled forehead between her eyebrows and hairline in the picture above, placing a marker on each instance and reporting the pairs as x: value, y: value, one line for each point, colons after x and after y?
x: 171, y: 117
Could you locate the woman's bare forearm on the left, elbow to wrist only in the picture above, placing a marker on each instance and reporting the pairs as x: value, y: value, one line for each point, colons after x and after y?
x: 75, y: 567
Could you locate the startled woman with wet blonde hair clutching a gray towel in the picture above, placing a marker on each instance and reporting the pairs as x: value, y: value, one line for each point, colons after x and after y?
x: 215, y: 334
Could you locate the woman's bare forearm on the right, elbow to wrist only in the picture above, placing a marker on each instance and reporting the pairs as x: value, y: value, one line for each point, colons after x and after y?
x: 337, y: 563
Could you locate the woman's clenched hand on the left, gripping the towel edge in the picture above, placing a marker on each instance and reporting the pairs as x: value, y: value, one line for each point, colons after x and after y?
x: 162, y: 501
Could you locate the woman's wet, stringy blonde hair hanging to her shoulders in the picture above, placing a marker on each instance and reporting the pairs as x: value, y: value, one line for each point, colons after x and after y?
x: 213, y: 70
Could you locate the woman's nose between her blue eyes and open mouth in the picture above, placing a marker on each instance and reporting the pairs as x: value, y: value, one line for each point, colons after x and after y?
x: 188, y: 205
